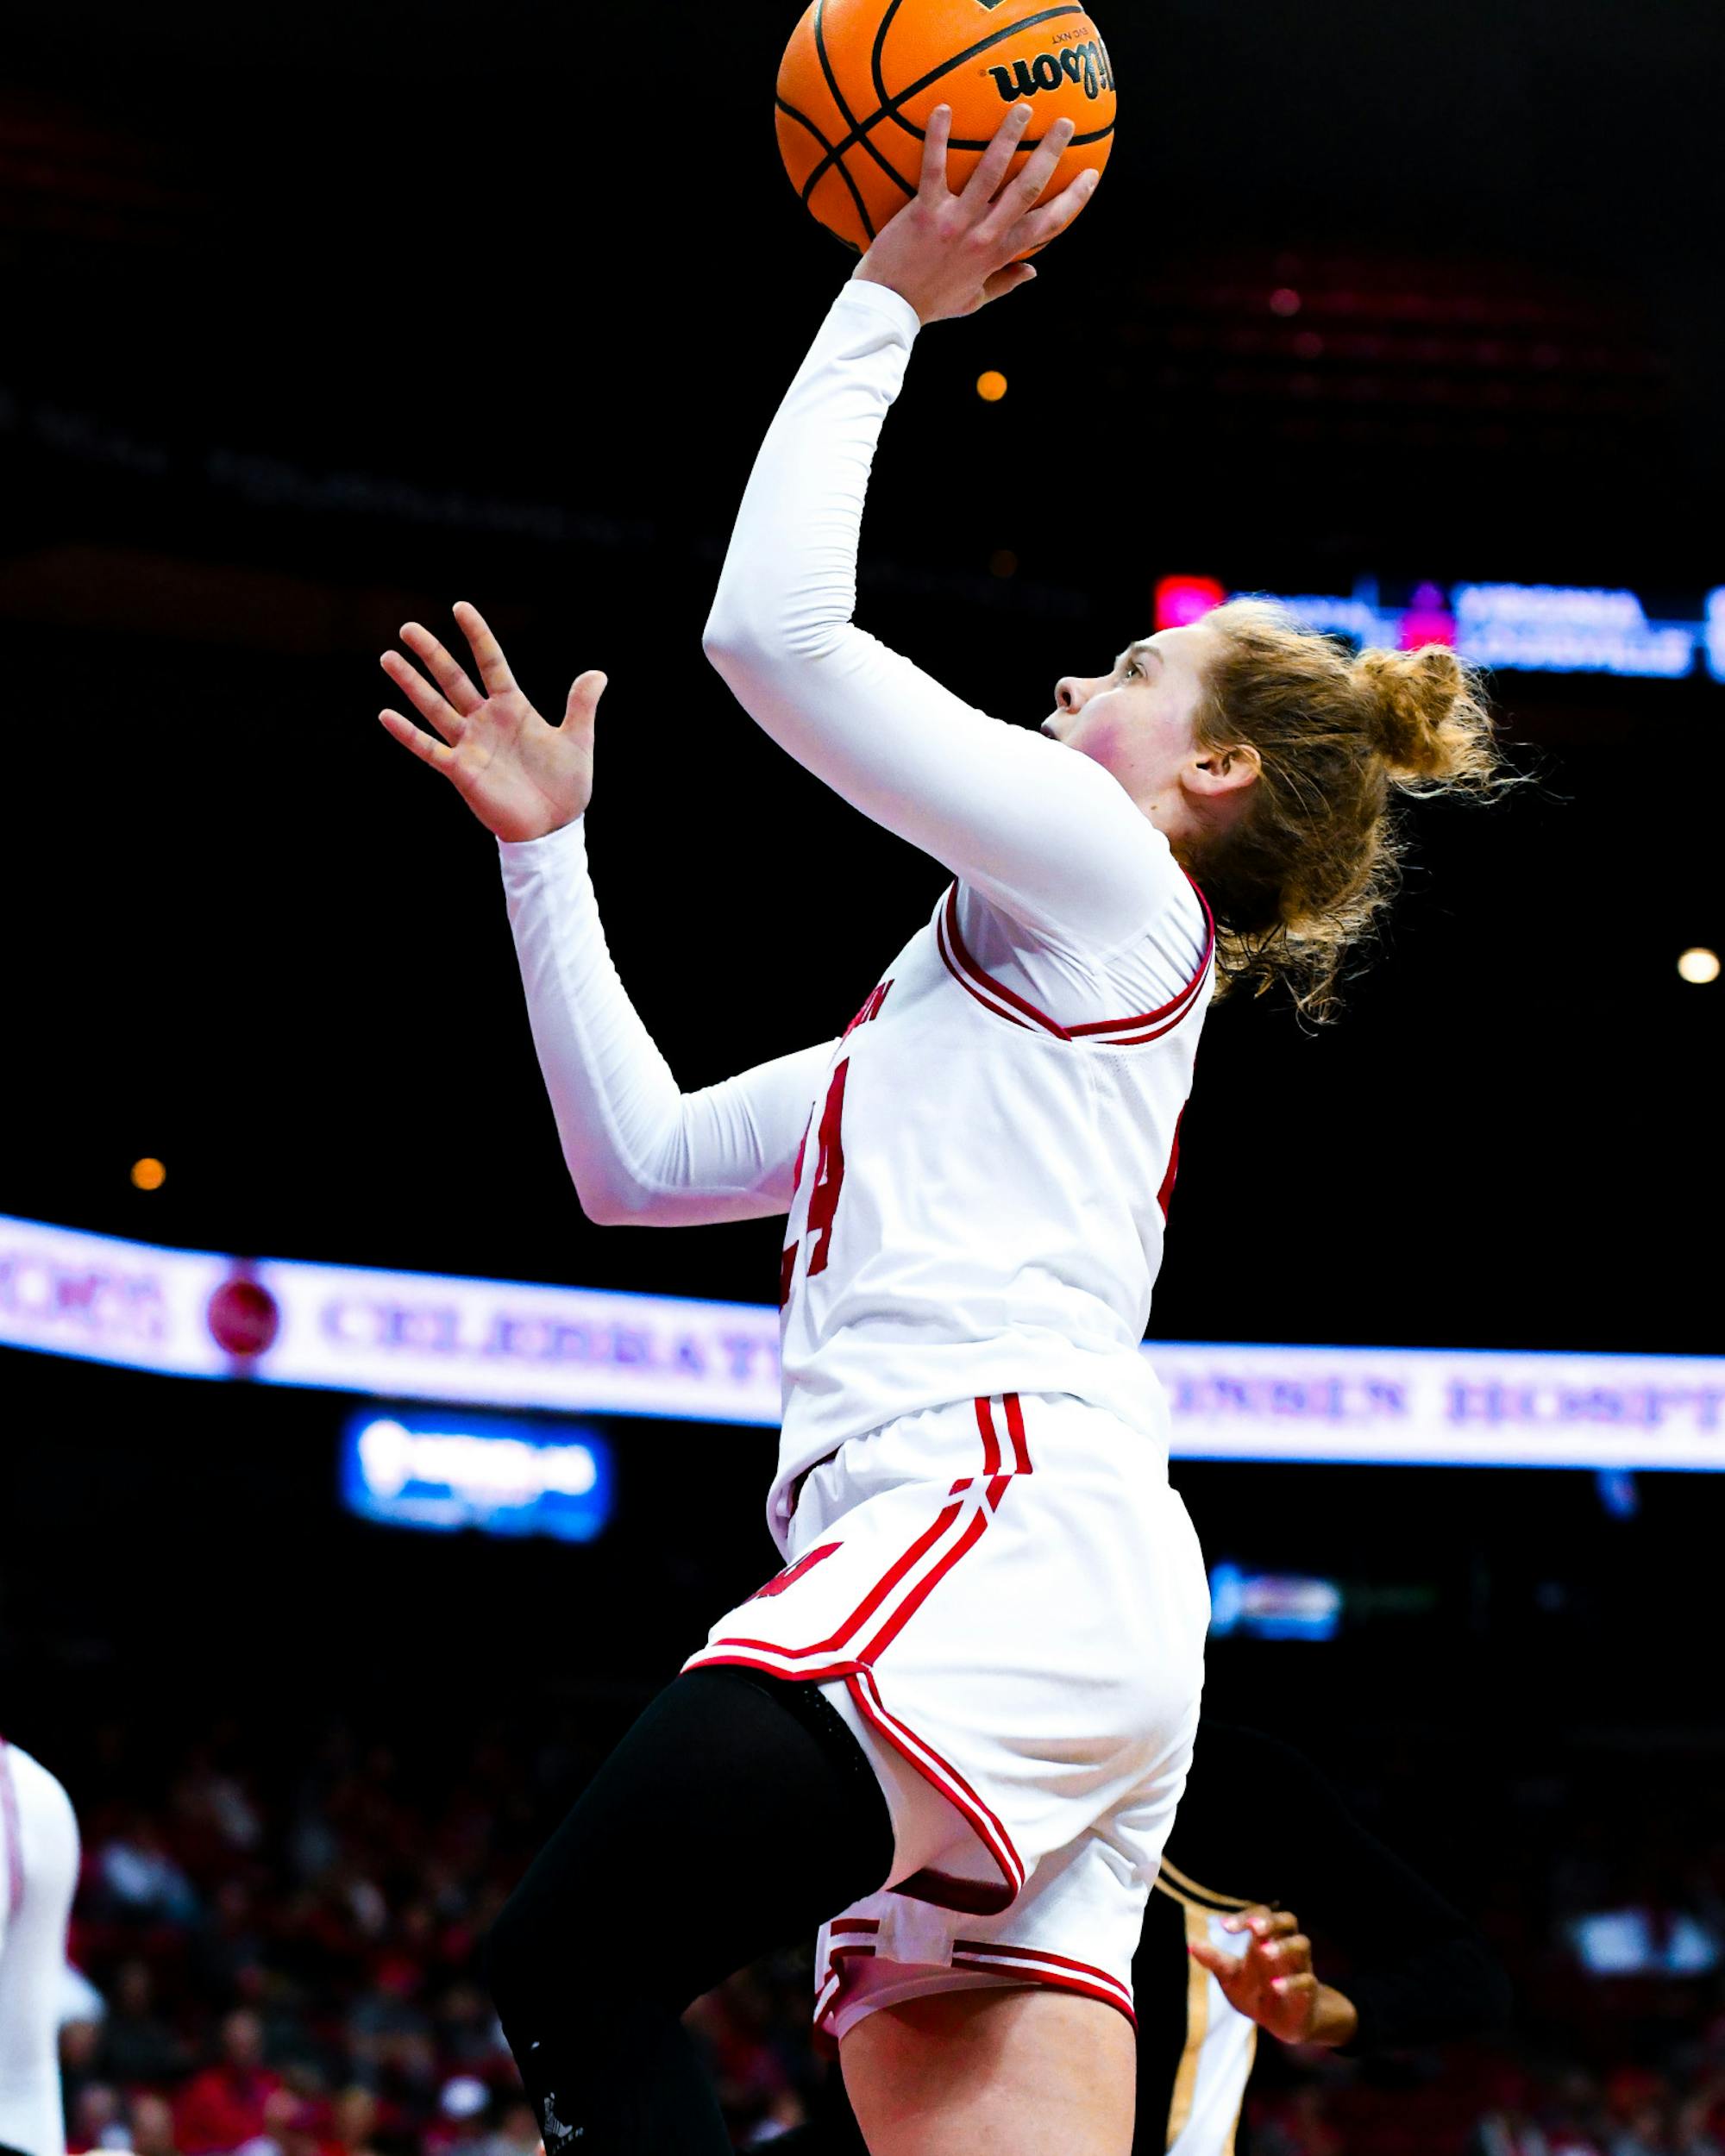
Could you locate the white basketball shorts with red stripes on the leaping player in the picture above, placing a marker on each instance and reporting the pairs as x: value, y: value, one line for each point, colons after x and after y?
x: 1006, y: 1601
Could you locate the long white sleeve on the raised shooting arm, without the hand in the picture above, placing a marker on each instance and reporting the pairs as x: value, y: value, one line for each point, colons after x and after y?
x: 1043, y: 835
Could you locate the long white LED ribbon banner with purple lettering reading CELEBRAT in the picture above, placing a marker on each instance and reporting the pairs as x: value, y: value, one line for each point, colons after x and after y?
x: 501, y: 1344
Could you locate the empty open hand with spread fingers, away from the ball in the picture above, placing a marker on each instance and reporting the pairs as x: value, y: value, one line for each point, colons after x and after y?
x: 521, y: 777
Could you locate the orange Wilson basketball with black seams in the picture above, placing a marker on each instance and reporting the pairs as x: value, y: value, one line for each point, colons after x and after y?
x: 861, y: 79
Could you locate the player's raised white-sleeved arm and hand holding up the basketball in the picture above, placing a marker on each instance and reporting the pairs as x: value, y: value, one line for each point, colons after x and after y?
x: 1034, y: 827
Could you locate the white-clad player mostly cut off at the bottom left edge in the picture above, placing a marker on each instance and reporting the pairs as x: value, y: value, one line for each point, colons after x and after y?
x: 38, y: 1879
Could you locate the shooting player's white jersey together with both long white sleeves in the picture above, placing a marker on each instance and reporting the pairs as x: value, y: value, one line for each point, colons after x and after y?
x: 974, y: 1174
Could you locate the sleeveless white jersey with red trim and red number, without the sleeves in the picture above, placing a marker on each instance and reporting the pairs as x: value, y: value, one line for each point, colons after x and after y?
x: 980, y: 1200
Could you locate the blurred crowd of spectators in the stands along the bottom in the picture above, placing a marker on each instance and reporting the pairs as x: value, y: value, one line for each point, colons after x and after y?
x: 277, y: 1952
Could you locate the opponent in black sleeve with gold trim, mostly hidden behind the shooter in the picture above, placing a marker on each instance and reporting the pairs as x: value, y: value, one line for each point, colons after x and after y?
x: 1215, y: 1967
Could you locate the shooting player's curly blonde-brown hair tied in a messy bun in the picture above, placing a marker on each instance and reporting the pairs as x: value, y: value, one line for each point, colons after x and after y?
x: 1316, y: 855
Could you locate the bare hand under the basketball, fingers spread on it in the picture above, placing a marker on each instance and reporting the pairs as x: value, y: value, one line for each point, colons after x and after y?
x: 954, y: 253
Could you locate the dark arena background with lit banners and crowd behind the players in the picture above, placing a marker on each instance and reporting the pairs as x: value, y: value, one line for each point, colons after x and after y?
x: 325, y: 318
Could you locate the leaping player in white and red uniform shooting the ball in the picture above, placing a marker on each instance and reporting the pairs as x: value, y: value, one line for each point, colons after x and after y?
x: 958, y: 1722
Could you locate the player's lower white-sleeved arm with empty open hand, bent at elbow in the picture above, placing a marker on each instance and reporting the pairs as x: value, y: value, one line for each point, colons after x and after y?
x: 639, y: 1150
